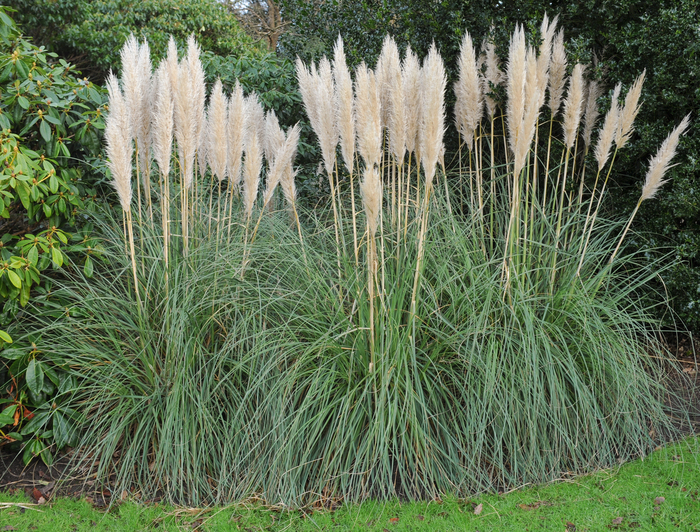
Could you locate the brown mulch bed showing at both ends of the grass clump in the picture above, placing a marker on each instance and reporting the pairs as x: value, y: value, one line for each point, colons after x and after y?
x: 40, y: 482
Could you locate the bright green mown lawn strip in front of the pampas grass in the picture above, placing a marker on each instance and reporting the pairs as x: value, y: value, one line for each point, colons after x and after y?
x: 661, y: 492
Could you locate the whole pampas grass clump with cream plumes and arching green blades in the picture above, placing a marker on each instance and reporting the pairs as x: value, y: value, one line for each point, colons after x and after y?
x: 436, y: 339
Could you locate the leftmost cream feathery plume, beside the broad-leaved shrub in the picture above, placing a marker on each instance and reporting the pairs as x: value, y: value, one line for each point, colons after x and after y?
x: 119, y: 147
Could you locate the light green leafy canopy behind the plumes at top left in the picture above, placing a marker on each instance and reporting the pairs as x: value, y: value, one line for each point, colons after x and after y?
x: 91, y: 33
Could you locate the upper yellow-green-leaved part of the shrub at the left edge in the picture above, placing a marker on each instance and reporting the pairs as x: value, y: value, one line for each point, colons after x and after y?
x: 50, y: 143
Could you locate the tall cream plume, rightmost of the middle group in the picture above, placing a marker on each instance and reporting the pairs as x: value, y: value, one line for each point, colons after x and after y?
x: 433, y: 82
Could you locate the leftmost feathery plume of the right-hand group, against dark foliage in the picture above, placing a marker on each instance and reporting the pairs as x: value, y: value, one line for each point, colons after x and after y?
x: 469, y: 106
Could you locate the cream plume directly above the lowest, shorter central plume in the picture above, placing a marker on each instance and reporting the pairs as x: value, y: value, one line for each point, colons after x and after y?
x: 368, y: 111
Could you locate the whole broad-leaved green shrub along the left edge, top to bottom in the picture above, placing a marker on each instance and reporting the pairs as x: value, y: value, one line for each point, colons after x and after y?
x: 50, y: 145
